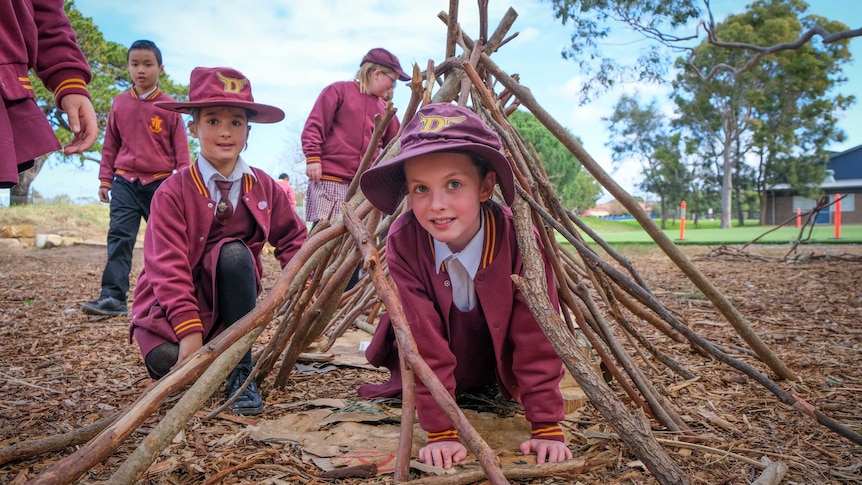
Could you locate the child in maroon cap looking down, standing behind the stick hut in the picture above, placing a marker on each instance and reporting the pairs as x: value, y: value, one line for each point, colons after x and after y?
x: 339, y: 128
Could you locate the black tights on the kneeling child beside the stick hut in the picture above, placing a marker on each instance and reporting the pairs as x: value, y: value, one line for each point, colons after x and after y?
x: 236, y: 285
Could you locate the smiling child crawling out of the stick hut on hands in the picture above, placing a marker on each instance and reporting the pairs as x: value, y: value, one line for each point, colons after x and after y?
x: 451, y: 257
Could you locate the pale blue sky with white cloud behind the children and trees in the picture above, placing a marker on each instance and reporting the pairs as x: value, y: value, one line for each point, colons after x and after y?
x: 290, y: 50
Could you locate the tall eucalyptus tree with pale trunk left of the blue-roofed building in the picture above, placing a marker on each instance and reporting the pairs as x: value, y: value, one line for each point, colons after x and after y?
x: 772, y: 105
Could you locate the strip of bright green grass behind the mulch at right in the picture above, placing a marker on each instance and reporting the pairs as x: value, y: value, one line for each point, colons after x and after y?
x: 708, y: 233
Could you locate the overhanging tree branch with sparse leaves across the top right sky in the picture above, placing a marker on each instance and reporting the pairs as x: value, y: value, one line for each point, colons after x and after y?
x: 673, y: 30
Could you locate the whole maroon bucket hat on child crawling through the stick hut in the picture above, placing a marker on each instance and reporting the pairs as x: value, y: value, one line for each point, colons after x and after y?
x: 440, y: 127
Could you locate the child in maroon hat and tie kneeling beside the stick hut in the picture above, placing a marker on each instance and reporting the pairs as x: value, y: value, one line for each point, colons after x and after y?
x: 209, y: 223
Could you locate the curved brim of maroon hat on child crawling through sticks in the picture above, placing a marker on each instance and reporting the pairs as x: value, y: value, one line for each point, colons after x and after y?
x: 384, y: 185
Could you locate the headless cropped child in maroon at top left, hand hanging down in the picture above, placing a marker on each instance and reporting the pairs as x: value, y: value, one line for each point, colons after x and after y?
x: 36, y: 34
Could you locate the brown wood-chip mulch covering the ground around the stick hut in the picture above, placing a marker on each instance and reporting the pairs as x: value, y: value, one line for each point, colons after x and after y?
x: 61, y: 370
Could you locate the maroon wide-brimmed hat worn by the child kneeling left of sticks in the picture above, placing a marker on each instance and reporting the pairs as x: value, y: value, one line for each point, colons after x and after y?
x: 223, y: 86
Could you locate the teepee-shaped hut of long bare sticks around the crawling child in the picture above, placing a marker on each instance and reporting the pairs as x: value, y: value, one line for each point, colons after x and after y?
x: 598, y: 295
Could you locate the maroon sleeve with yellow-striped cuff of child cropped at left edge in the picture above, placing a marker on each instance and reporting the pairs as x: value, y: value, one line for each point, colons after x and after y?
x: 60, y: 64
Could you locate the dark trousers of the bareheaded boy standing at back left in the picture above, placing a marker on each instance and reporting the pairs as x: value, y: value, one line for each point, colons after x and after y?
x: 130, y: 201
